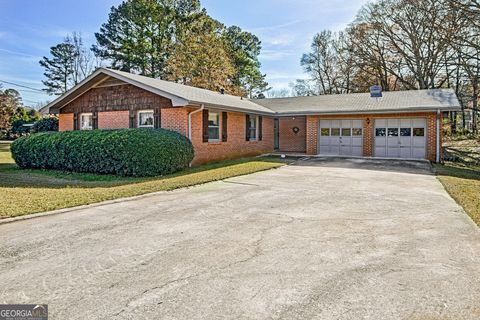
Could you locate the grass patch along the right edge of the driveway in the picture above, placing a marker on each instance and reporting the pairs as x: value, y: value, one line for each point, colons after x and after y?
x: 461, y: 175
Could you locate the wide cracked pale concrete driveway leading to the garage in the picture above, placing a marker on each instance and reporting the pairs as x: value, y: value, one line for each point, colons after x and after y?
x: 323, y: 239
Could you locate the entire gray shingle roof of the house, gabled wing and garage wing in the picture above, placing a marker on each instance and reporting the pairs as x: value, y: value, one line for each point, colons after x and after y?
x: 182, y: 95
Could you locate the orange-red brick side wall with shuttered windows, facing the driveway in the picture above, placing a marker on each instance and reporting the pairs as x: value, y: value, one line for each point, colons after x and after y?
x: 236, y: 146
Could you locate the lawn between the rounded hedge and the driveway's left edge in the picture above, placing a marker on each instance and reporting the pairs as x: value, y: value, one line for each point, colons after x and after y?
x: 29, y: 191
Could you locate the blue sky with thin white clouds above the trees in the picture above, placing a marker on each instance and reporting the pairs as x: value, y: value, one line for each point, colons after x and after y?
x: 28, y: 28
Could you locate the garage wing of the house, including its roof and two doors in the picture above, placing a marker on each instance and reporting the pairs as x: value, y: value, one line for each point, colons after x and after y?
x: 399, y: 125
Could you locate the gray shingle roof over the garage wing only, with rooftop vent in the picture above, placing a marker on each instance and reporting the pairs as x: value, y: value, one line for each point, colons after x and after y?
x: 393, y: 101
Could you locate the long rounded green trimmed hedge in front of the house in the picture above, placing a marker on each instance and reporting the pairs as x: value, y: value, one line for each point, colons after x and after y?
x: 127, y: 152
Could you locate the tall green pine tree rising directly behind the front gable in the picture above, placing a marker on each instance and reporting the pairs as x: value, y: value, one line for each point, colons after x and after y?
x: 139, y: 34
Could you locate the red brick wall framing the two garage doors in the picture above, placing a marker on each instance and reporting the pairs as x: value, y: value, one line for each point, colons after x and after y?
x: 368, y: 128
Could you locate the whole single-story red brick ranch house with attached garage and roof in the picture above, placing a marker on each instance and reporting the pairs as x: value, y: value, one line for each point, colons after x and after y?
x: 402, y: 124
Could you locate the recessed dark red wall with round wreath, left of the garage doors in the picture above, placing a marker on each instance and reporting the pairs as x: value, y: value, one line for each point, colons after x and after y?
x: 288, y: 140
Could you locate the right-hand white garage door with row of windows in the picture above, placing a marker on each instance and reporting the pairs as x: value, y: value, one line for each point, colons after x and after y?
x: 400, y: 138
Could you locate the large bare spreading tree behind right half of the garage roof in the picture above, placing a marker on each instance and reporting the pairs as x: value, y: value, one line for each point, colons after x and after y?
x: 419, y: 35
